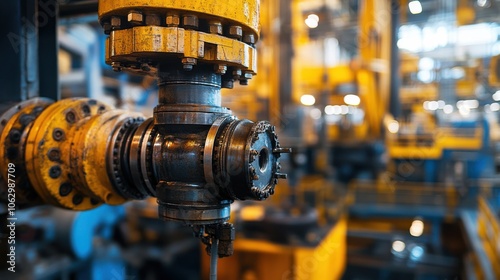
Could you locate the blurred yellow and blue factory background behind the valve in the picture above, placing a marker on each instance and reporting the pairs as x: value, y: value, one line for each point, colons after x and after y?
x: 391, y: 108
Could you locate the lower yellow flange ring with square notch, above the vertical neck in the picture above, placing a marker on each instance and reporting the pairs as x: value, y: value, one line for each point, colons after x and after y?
x: 149, y: 41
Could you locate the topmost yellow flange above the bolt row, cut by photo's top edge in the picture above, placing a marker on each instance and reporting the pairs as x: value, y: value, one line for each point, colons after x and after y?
x: 241, y: 12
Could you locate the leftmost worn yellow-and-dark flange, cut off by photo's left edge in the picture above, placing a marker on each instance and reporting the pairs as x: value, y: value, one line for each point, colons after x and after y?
x: 18, y: 120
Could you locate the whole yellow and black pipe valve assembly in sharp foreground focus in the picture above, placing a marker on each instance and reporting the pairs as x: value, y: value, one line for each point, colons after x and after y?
x: 193, y: 155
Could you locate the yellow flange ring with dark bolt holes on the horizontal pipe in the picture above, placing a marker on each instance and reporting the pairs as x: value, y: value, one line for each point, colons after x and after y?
x: 53, y: 130
